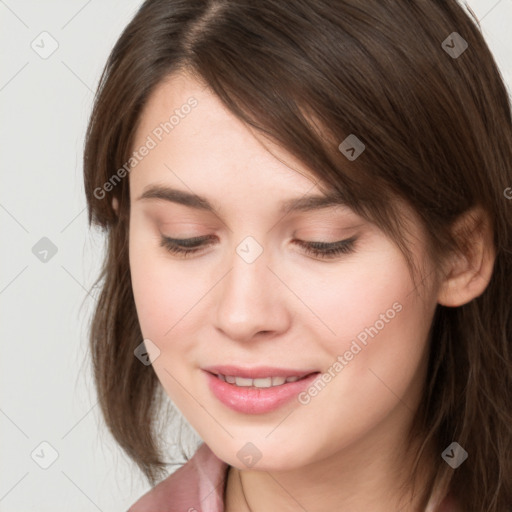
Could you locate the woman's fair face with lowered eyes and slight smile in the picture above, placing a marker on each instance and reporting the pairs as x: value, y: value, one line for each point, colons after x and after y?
x: 252, y: 297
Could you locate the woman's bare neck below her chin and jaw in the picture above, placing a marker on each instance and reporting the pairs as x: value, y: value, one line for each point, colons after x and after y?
x: 370, y: 477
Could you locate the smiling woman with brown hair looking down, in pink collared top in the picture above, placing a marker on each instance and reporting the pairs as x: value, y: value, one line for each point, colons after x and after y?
x: 309, y: 253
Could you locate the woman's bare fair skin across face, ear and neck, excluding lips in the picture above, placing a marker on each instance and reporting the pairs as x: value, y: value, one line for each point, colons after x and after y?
x: 343, y: 450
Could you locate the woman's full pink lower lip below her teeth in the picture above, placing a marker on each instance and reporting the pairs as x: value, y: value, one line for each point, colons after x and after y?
x: 252, y: 400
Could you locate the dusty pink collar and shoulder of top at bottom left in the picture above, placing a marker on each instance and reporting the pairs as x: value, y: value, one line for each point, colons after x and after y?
x: 196, y: 486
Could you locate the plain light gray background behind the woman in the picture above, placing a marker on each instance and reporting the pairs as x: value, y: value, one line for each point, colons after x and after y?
x: 46, y: 386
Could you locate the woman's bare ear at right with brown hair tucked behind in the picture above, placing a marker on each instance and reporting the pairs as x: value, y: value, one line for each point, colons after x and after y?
x: 467, y: 276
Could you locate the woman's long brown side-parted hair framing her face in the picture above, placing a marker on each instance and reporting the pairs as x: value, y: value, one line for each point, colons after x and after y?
x: 438, y: 134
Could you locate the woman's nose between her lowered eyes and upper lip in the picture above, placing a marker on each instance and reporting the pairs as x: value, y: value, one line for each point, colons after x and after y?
x: 252, y: 300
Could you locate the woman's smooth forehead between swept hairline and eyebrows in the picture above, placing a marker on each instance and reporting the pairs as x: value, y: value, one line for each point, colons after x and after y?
x: 205, y: 148
